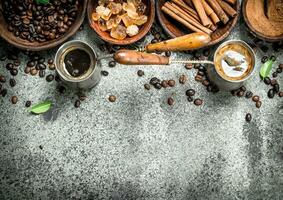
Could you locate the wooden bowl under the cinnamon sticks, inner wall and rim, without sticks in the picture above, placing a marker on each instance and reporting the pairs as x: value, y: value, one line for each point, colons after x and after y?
x: 174, y: 29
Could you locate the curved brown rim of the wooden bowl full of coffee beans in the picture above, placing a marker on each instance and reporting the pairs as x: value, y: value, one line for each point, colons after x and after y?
x: 49, y: 44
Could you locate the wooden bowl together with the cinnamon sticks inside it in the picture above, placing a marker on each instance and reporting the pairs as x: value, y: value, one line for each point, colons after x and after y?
x: 214, y: 17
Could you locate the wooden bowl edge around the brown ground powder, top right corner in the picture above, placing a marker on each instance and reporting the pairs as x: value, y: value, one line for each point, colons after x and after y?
x: 254, y: 31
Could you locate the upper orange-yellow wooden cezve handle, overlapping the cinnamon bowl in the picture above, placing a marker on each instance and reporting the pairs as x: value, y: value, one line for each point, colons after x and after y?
x: 183, y: 43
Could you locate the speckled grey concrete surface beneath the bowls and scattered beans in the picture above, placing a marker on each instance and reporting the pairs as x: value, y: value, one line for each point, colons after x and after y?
x: 139, y: 147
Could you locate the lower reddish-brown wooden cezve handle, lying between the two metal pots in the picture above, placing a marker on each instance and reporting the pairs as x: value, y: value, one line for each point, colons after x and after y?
x: 129, y: 57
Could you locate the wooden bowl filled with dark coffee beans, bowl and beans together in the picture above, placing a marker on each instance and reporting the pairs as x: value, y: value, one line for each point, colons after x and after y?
x: 37, y: 25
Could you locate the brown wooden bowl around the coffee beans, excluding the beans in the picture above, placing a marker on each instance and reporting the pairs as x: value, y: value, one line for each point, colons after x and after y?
x: 38, y: 46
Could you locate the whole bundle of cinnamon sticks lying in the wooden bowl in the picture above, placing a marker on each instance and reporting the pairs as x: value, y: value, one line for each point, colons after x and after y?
x: 201, y: 15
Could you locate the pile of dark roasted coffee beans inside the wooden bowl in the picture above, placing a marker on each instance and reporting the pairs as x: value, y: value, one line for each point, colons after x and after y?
x: 39, y: 22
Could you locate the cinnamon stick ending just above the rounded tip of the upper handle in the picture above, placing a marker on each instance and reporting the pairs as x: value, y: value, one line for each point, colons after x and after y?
x: 177, y: 10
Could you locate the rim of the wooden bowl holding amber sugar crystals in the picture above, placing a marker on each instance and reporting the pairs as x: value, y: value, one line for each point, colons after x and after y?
x: 129, y: 40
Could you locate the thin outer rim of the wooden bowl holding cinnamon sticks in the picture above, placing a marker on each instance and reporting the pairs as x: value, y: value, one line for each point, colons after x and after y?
x: 213, y: 42
